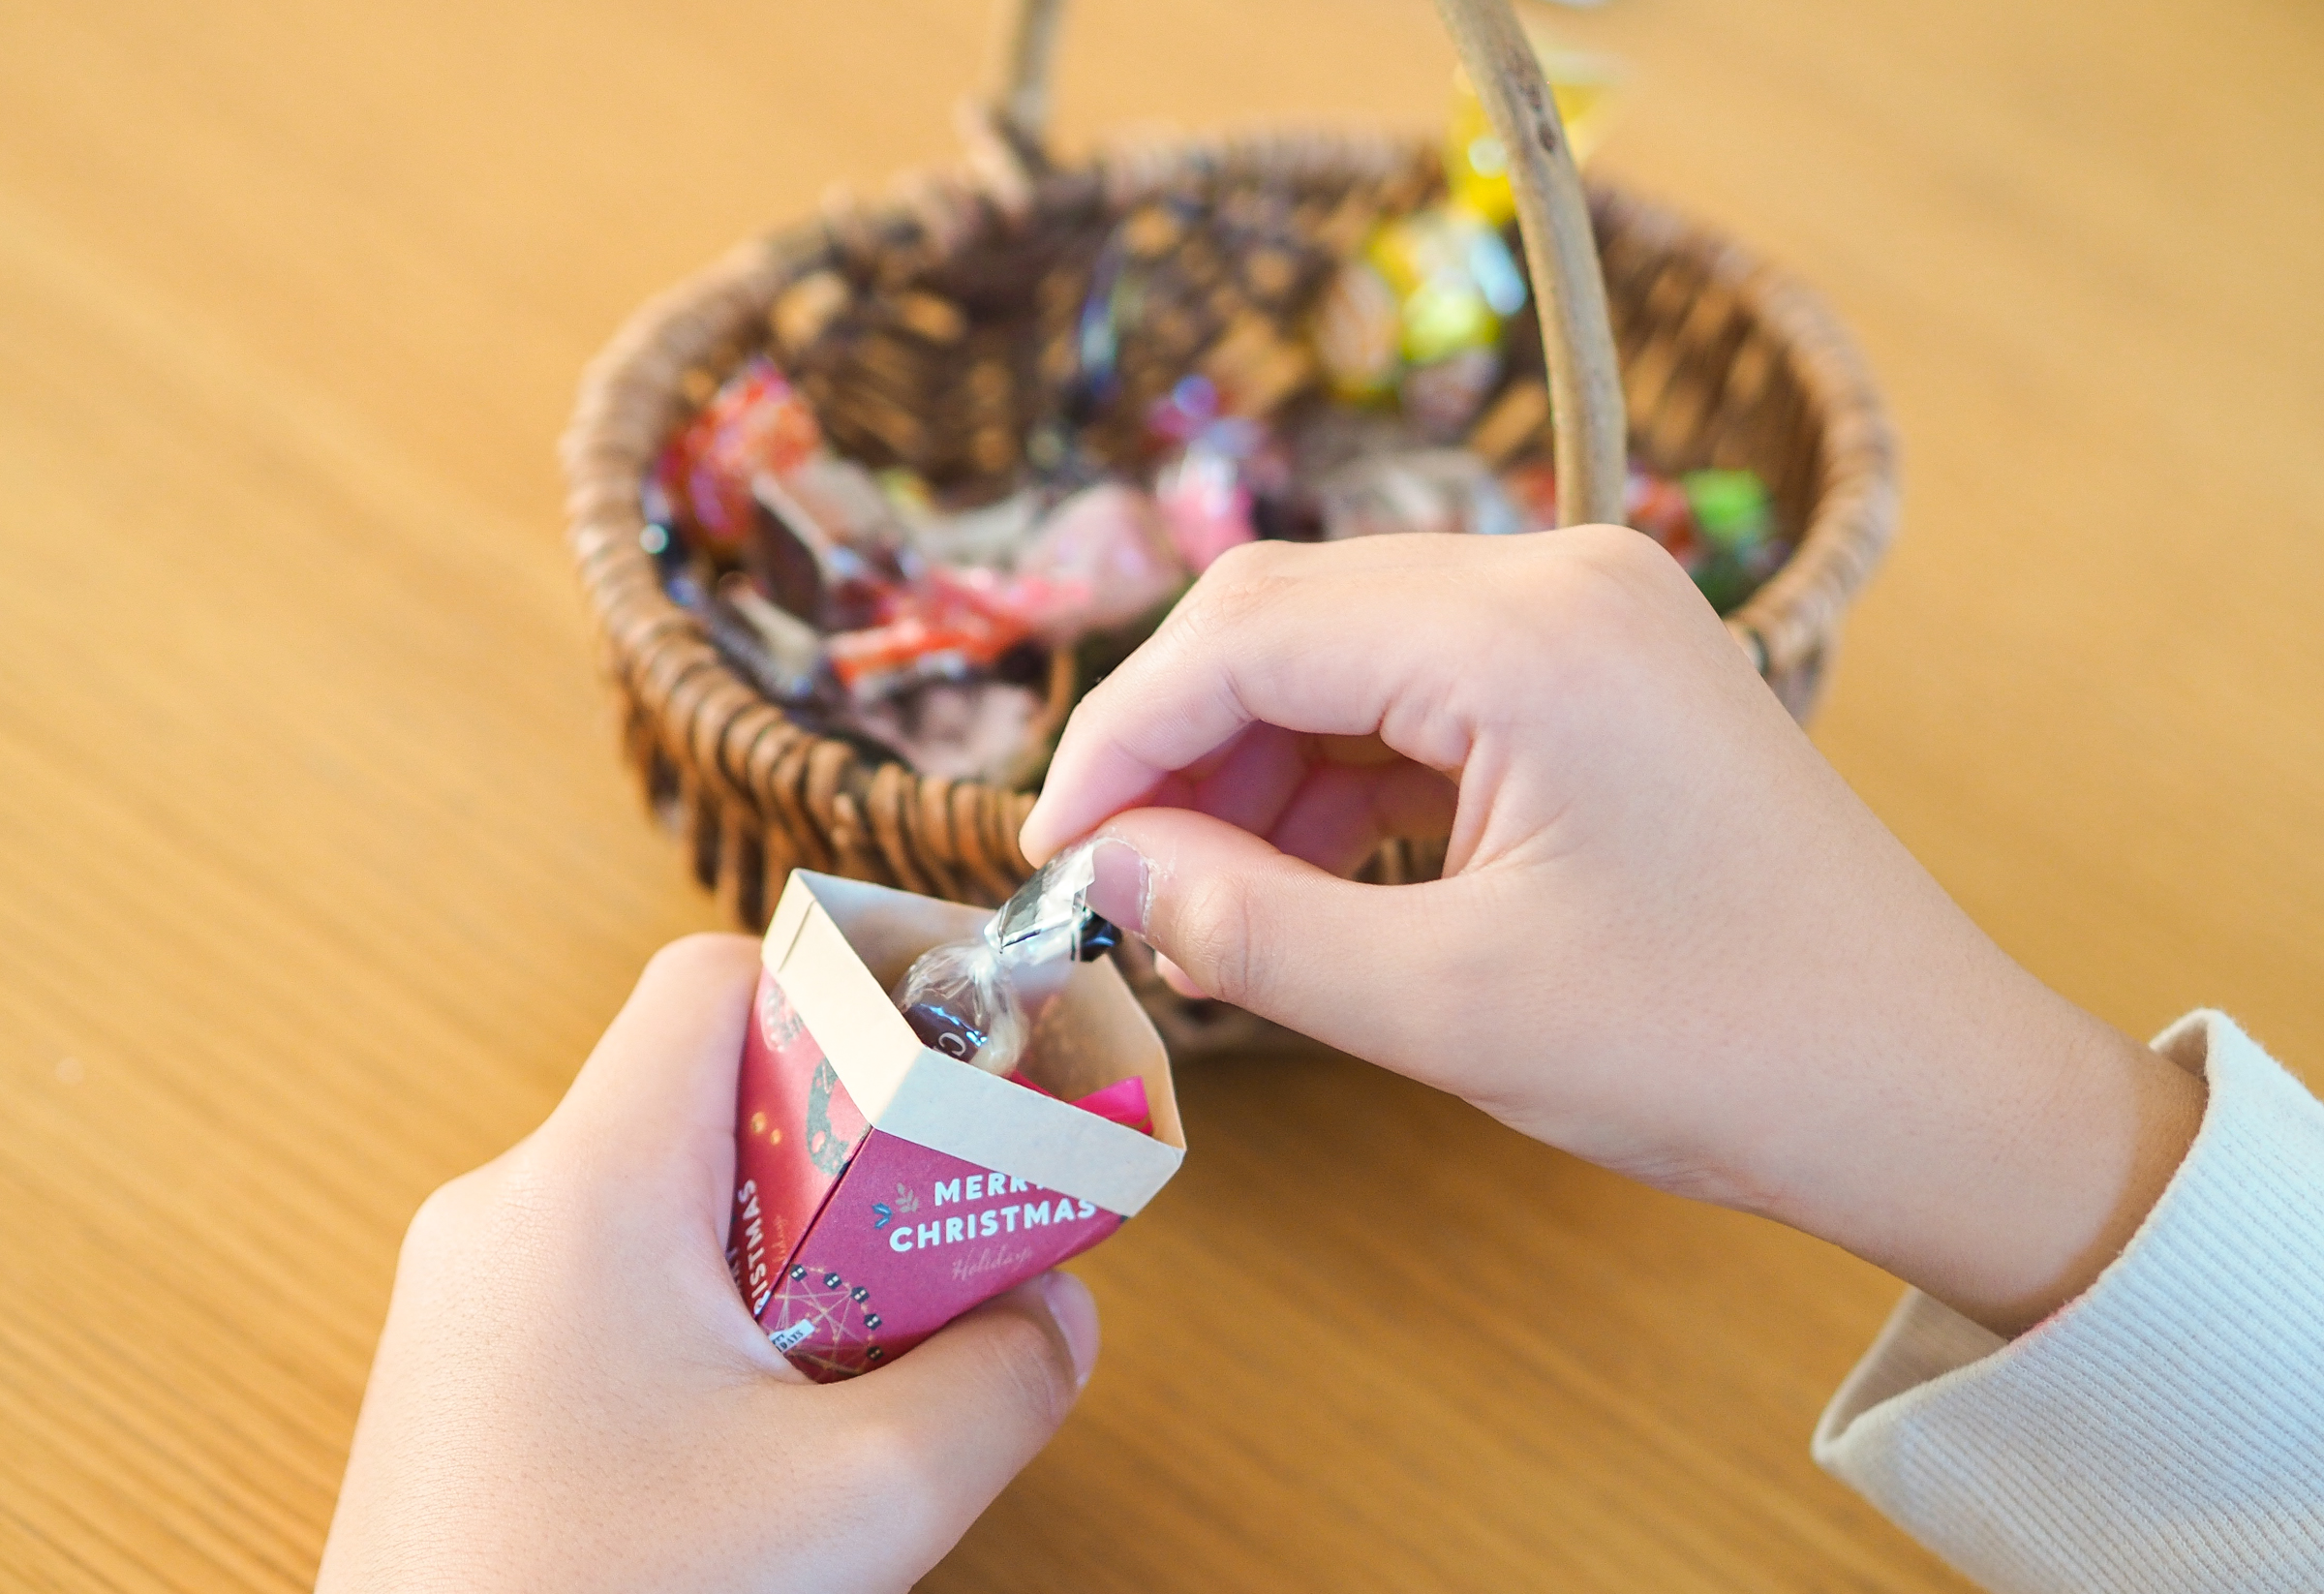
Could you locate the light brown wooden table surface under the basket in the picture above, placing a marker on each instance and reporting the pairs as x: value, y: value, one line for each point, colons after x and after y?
x: 317, y: 870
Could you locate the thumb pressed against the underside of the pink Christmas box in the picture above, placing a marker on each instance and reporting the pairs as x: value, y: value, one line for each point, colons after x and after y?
x: 980, y: 1398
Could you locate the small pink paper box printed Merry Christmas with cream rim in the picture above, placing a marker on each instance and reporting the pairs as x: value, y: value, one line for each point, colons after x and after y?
x: 884, y: 1189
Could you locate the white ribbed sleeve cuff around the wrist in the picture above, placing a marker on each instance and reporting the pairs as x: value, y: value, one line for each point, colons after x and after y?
x: 2167, y: 1428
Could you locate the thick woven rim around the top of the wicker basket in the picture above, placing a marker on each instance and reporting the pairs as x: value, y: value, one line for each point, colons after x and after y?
x: 631, y: 401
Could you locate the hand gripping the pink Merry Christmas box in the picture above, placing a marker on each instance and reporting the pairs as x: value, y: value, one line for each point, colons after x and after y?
x: 571, y: 1393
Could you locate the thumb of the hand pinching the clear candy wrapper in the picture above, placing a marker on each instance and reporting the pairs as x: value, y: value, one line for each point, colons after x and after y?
x: 1270, y: 933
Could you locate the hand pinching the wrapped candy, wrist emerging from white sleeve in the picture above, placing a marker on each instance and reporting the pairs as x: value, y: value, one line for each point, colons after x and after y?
x: 1667, y: 940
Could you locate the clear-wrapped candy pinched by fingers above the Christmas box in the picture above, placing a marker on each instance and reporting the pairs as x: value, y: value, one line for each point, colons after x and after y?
x: 982, y: 1000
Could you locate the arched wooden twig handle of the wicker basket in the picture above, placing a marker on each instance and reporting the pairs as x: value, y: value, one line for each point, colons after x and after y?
x: 1554, y: 217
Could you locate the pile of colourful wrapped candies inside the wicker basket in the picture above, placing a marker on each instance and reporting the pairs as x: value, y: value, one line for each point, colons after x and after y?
x: 954, y: 624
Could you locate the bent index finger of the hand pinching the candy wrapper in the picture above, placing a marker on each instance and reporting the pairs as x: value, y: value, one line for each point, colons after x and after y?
x: 1333, y: 640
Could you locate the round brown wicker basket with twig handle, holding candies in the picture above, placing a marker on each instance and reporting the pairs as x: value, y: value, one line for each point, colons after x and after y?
x: 917, y: 326
